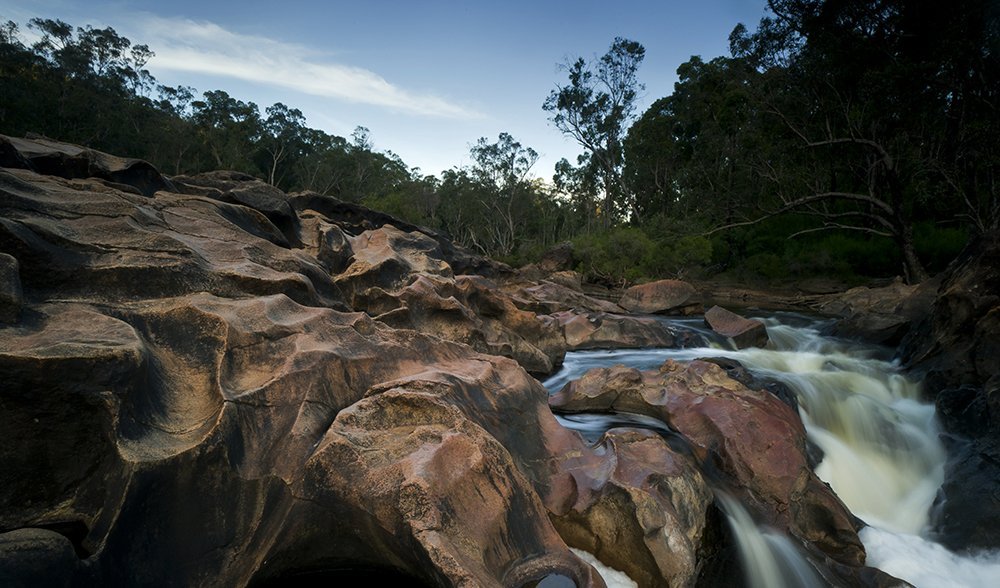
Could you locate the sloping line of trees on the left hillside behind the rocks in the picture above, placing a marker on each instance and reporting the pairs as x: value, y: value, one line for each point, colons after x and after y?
x: 91, y: 86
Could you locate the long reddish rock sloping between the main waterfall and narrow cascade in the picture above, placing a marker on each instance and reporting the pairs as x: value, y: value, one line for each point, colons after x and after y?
x: 753, y: 440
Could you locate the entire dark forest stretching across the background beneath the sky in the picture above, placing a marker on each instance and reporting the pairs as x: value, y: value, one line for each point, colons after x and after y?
x: 852, y: 139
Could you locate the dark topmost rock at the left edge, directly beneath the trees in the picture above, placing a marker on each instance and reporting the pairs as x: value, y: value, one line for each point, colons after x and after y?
x: 66, y: 160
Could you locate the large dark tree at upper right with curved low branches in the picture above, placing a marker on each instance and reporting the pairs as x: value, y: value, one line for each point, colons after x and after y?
x: 882, y: 106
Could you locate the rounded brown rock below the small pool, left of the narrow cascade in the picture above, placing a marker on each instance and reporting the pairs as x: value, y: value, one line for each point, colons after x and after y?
x: 641, y: 508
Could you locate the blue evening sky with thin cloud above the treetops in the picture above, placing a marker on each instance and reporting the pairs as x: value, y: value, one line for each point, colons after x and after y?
x: 427, y: 78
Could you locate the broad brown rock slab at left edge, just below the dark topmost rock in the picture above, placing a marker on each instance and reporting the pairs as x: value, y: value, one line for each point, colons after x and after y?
x: 109, y: 245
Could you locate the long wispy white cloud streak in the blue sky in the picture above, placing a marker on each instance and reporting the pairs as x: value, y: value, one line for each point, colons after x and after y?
x: 207, y: 48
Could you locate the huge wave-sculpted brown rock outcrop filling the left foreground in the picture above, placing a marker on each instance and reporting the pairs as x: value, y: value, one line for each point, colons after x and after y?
x: 192, y: 404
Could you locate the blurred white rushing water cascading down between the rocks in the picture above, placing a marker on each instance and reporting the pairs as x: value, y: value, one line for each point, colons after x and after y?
x: 881, y: 449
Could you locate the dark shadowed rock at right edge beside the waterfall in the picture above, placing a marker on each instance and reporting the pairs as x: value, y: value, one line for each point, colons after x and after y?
x: 958, y: 347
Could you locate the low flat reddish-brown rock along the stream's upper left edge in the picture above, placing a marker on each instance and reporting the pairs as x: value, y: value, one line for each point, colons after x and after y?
x: 600, y: 330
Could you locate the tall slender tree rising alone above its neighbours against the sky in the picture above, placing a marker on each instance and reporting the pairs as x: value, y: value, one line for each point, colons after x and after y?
x: 595, y: 108
